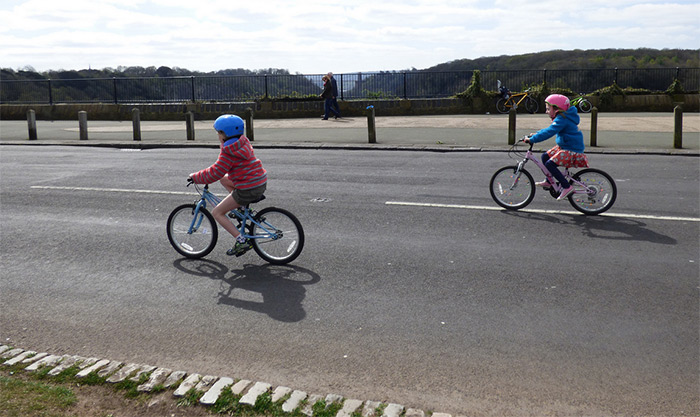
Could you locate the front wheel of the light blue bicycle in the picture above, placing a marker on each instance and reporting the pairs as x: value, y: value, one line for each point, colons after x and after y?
x: 192, y: 245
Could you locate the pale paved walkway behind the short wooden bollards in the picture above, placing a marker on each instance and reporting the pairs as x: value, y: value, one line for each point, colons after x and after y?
x: 617, y: 132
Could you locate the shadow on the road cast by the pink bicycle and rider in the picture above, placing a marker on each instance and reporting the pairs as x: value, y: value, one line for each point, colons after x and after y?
x: 603, y: 227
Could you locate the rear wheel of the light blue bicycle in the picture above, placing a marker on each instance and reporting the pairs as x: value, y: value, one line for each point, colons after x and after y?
x: 288, y: 240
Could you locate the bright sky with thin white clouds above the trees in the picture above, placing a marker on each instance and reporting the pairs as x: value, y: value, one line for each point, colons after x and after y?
x: 314, y: 37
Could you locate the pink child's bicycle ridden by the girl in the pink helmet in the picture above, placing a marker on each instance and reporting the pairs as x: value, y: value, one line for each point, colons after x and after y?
x: 513, y: 188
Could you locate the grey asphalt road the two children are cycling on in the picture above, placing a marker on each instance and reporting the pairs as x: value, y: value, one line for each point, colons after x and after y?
x: 455, y: 307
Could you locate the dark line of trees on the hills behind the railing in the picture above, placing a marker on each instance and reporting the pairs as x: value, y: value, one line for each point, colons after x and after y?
x: 577, y: 70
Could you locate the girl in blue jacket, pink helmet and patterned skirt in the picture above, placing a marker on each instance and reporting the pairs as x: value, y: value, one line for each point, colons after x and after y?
x: 569, y: 149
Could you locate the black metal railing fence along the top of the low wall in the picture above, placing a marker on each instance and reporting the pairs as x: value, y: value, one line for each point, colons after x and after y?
x: 351, y: 86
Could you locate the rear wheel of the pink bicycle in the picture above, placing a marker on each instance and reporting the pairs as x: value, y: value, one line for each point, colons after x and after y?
x: 604, y: 192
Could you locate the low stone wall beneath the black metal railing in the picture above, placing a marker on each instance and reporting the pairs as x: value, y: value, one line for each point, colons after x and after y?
x: 314, y: 108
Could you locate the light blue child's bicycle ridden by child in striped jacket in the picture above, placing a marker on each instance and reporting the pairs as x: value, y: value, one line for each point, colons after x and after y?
x: 275, y: 234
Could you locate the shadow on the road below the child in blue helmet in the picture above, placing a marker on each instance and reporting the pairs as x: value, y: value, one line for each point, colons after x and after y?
x: 275, y: 290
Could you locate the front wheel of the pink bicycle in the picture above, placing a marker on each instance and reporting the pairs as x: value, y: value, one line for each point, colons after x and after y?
x: 510, y: 192
